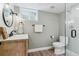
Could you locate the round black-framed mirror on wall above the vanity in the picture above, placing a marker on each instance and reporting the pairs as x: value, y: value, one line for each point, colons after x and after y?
x: 7, y: 16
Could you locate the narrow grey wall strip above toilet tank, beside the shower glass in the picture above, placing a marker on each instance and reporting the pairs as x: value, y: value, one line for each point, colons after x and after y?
x: 62, y: 19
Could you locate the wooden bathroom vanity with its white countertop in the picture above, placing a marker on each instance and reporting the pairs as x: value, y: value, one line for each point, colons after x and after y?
x: 16, y: 45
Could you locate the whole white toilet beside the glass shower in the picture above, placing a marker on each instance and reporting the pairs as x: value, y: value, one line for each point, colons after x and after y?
x: 60, y: 46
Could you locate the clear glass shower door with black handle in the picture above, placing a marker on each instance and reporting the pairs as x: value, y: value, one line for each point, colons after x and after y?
x: 72, y: 29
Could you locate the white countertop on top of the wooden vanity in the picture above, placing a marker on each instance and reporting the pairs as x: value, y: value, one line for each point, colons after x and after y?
x: 17, y: 37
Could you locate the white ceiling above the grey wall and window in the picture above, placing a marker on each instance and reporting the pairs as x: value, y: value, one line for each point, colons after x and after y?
x: 56, y: 7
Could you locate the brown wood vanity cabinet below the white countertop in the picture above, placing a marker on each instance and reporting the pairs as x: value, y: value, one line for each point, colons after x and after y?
x: 14, y: 48
